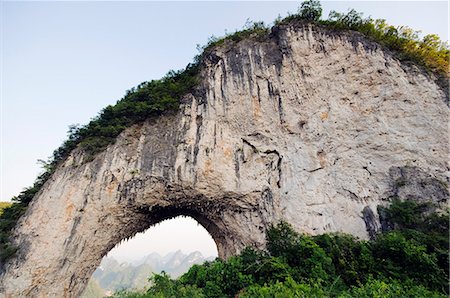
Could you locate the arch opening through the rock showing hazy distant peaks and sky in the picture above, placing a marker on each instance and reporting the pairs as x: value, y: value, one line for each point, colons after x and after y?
x: 176, y: 242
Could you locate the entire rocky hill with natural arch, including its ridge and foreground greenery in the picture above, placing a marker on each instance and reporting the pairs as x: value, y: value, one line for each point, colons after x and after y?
x: 310, y: 128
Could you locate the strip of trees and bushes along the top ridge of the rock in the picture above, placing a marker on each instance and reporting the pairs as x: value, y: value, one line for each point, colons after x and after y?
x: 150, y: 99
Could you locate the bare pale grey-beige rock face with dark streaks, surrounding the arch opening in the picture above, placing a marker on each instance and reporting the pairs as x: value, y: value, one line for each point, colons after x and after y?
x: 309, y: 126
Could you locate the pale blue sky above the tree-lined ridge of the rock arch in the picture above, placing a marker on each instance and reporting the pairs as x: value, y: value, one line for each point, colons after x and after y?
x: 62, y: 62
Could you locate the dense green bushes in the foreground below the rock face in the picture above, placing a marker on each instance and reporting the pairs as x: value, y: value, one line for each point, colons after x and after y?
x: 403, y: 262
